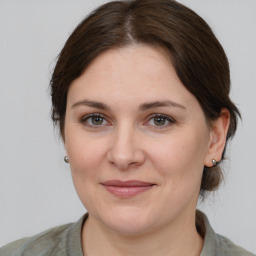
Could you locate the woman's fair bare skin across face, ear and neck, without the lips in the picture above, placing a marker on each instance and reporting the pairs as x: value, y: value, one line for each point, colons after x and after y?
x: 127, y: 142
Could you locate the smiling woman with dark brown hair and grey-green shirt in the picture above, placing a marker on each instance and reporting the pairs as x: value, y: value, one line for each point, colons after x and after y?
x: 140, y: 93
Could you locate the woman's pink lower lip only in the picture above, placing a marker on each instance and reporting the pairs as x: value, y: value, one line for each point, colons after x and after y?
x: 127, y: 191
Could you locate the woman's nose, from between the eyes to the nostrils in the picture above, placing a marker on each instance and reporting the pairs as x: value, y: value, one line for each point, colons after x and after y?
x: 125, y: 150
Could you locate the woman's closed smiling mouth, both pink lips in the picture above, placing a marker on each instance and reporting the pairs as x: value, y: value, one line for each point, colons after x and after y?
x: 128, y: 188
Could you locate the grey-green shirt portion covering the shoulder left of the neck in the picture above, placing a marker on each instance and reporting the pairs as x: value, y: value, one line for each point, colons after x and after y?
x: 56, y: 241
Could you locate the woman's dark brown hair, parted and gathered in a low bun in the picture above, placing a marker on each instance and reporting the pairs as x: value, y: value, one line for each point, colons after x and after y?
x: 197, y: 56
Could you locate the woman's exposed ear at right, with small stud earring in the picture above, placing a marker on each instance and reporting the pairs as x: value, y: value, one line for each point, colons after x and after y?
x: 218, y: 135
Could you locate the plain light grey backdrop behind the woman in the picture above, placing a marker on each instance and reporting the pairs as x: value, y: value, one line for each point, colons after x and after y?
x: 36, y: 190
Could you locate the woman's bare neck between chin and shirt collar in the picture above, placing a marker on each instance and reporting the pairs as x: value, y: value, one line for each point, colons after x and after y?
x: 176, y: 239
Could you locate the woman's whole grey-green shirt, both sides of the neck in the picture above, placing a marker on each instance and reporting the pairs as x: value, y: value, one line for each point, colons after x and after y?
x: 66, y: 241
